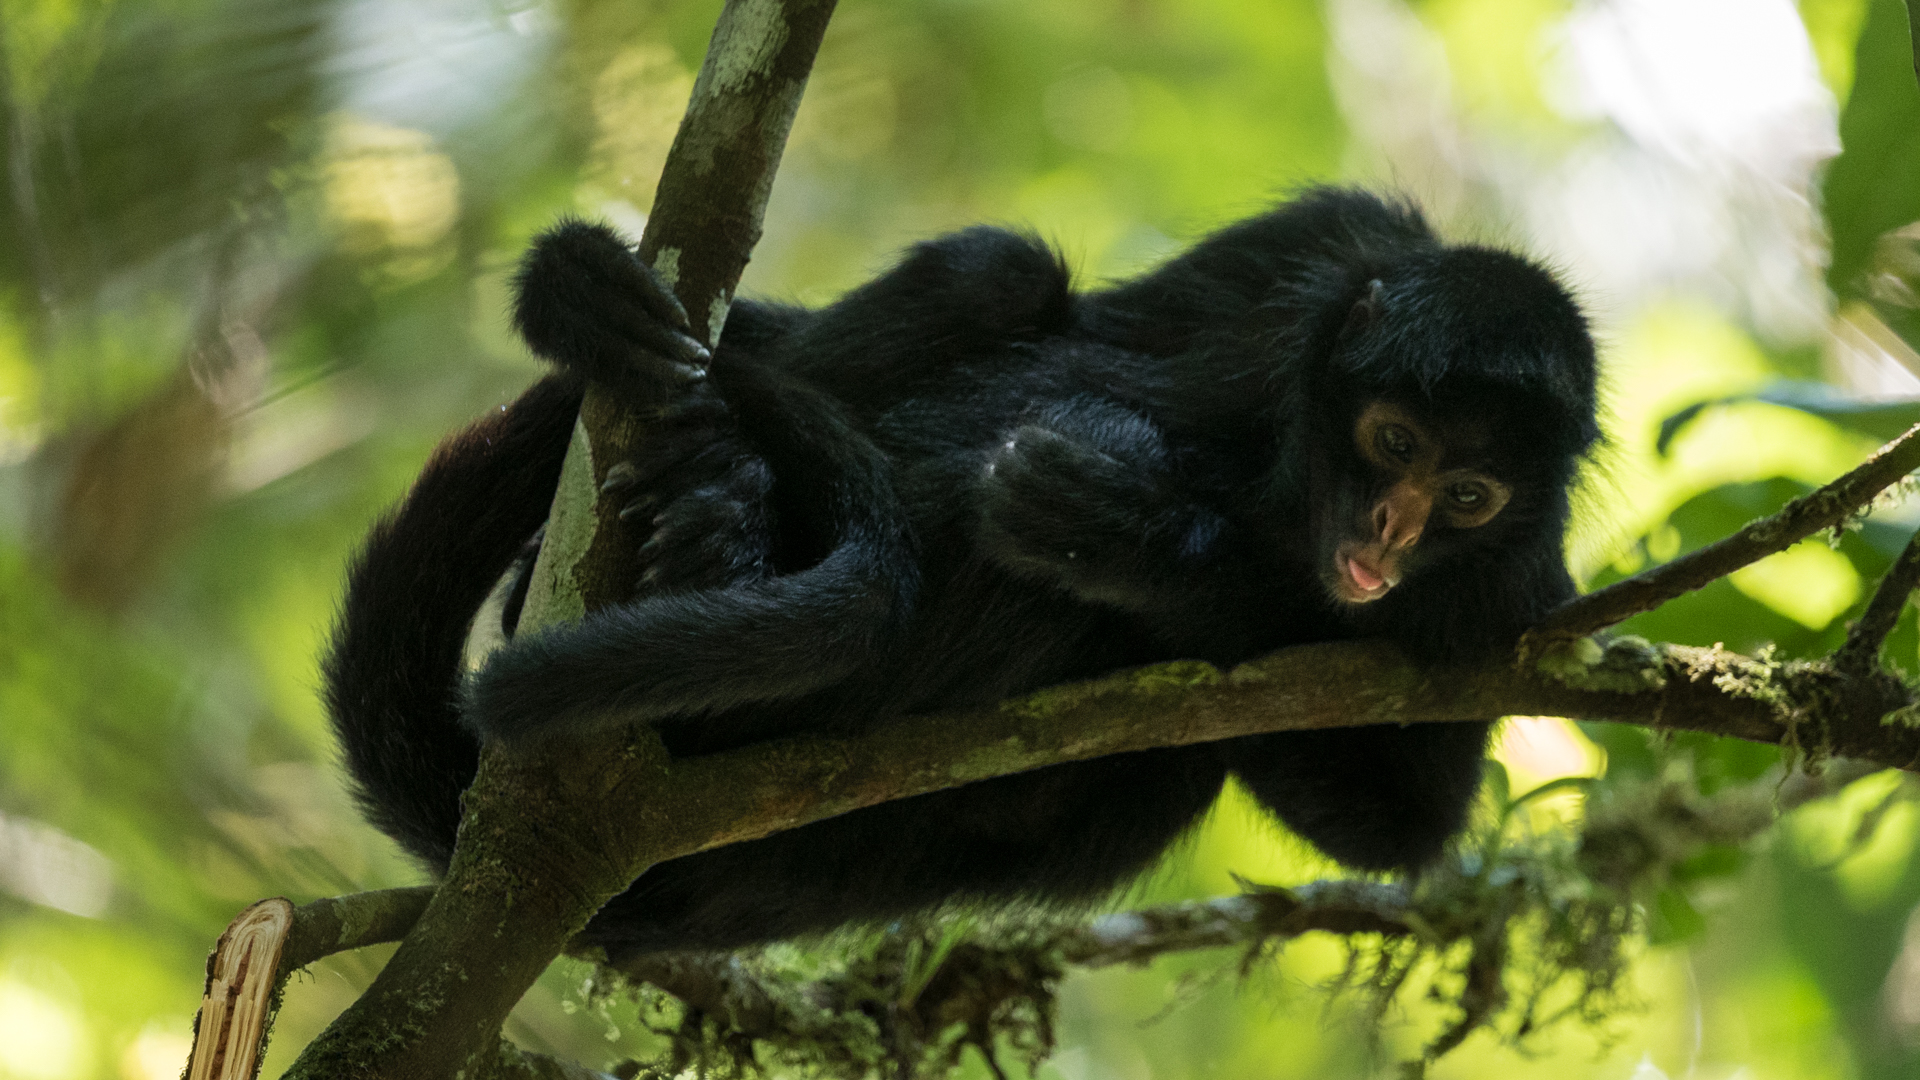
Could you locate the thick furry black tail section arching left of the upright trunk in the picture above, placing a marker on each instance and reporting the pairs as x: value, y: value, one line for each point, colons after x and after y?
x: 395, y: 664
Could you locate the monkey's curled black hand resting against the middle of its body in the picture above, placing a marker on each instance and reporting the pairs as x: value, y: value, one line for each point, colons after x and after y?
x: 1101, y: 522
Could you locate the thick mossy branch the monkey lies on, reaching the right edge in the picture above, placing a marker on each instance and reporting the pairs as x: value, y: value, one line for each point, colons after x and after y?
x: 765, y: 789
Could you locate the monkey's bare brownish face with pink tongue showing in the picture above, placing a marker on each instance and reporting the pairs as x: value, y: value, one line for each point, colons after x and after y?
x: 1408, y: 489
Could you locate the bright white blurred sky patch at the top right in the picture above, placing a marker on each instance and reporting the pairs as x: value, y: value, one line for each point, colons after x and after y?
x: 1725, y: 124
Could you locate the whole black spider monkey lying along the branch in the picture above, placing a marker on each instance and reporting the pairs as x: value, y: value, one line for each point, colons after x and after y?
x: 965, y: 481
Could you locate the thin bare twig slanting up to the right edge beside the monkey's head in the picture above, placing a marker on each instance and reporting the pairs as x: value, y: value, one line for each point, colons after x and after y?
x: 1802, y: 518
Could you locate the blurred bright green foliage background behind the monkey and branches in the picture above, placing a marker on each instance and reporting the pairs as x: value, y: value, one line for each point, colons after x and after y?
x: 254, y: 264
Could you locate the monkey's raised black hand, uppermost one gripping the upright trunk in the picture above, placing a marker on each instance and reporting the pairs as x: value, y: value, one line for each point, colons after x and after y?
x: 588, y: 305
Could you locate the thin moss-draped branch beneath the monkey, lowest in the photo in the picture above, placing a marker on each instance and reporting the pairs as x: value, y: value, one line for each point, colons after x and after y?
x: 1566, y: 900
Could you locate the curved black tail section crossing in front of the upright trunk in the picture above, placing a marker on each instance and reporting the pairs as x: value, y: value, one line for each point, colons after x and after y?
x: 763, y: 641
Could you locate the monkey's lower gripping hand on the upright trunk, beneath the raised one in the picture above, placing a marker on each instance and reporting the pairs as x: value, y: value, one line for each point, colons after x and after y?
x: 704, y: 495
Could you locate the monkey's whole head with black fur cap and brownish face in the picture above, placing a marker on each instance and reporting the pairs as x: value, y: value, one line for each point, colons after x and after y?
x: 1451, y: 418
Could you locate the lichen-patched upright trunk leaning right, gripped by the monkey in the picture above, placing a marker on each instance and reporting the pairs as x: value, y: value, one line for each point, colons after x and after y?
x: 525, y: 856
